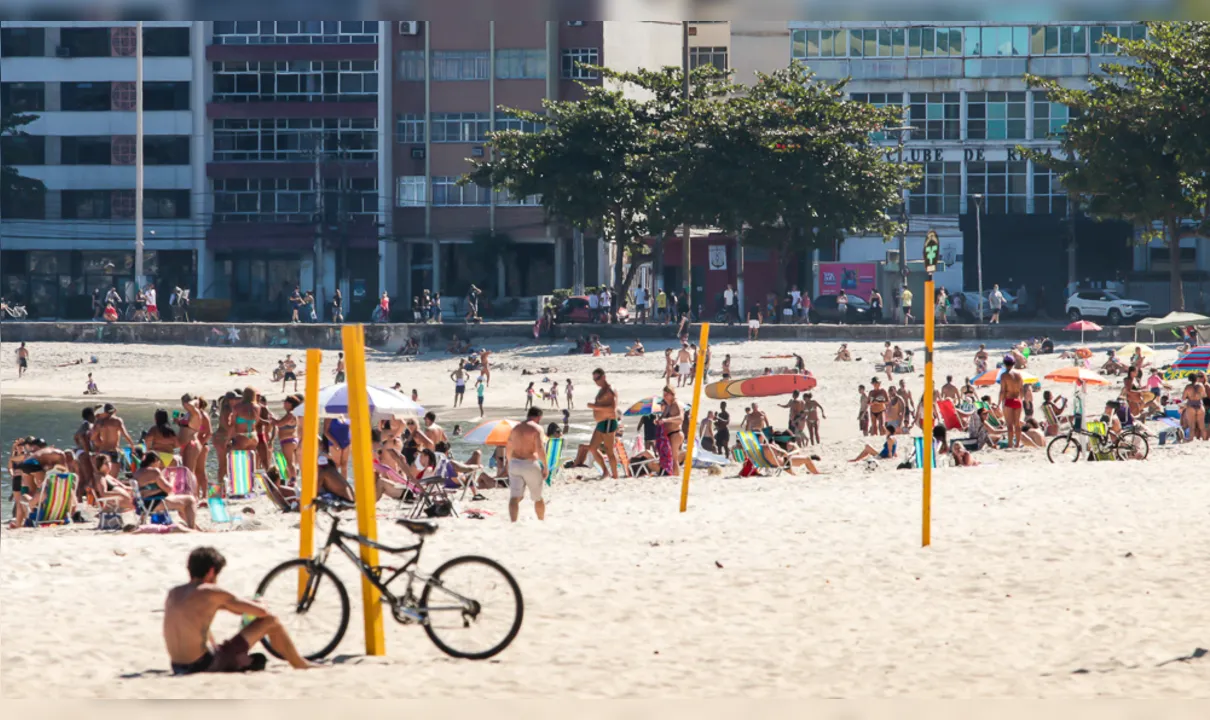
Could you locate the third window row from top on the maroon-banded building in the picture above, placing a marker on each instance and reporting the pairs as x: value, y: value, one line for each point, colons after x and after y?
x: 295, y: 140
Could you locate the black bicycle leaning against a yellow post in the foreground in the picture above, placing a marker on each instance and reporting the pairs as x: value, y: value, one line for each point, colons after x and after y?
x: 465, y: 600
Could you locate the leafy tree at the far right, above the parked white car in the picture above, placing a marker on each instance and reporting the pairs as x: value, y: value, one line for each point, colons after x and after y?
x: 1128, y: 151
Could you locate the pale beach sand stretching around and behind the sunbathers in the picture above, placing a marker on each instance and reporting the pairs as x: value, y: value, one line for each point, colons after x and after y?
x: 1042, y: 581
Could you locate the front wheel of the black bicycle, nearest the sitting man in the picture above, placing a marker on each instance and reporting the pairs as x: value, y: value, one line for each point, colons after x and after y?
x: 319, y: 621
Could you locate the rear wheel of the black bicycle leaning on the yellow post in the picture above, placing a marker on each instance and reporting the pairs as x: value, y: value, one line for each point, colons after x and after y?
x: 473, y: 608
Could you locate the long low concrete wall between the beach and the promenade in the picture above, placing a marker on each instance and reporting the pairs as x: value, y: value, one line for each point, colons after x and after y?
x: 391, y: 337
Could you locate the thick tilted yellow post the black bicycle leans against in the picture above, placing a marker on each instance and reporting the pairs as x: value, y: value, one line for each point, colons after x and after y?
x: 364, y: 473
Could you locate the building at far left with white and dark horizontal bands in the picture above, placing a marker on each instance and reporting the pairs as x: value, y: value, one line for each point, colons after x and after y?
x: 78, y: 79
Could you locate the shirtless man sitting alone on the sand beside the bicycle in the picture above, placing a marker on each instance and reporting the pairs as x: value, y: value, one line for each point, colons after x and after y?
x: 191, y: 609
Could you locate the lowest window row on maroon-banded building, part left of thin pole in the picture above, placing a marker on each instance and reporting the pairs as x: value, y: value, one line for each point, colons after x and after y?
x: 264, y: 200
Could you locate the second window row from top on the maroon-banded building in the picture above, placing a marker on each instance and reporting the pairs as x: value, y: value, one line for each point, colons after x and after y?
x: 296, y: 82
